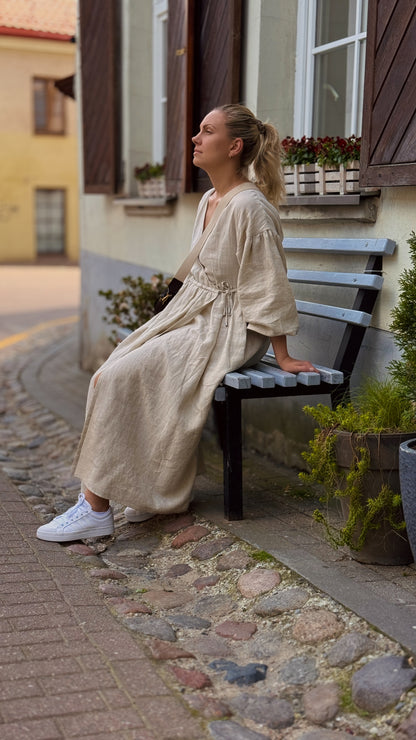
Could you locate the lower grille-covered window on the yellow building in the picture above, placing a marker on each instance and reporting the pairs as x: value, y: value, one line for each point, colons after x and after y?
x: 50, y: 221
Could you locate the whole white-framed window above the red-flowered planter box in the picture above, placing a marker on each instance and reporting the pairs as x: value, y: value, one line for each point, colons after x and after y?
x: 331, y: 47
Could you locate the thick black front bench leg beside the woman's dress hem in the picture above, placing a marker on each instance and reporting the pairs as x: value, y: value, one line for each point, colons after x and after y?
x: 233, y: 476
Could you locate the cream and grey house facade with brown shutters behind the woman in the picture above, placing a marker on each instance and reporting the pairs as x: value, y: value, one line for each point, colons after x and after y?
x: 312, y: 67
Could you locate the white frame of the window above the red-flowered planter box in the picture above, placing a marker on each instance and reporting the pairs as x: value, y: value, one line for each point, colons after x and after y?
x: 306, y: 52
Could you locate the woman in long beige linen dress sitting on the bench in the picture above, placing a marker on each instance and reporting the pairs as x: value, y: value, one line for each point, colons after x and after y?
x: 148, y: 403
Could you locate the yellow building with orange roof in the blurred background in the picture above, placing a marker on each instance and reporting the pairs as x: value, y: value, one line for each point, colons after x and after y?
x: 39, y: 200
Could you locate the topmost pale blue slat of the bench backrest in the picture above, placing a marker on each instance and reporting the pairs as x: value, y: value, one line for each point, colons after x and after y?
x: 339, y: 246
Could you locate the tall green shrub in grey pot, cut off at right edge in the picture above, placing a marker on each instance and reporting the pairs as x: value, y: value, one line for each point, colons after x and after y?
x: 404, y: 372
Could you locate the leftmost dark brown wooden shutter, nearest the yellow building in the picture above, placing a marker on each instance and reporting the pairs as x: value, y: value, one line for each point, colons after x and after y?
x: 100, y: 79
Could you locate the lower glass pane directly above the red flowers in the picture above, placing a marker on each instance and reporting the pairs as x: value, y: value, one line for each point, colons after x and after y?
x: 333, y: 92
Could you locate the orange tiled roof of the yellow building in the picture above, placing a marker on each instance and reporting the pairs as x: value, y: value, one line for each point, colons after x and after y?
x: 45, y: 16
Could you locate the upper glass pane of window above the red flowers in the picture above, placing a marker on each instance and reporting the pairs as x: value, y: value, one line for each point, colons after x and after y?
x: 335, y: 19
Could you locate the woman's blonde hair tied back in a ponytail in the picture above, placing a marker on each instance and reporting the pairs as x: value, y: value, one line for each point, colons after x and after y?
x: 261, y: 150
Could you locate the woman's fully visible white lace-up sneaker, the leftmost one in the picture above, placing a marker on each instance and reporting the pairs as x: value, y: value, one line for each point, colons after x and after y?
x: 78, y: 523
